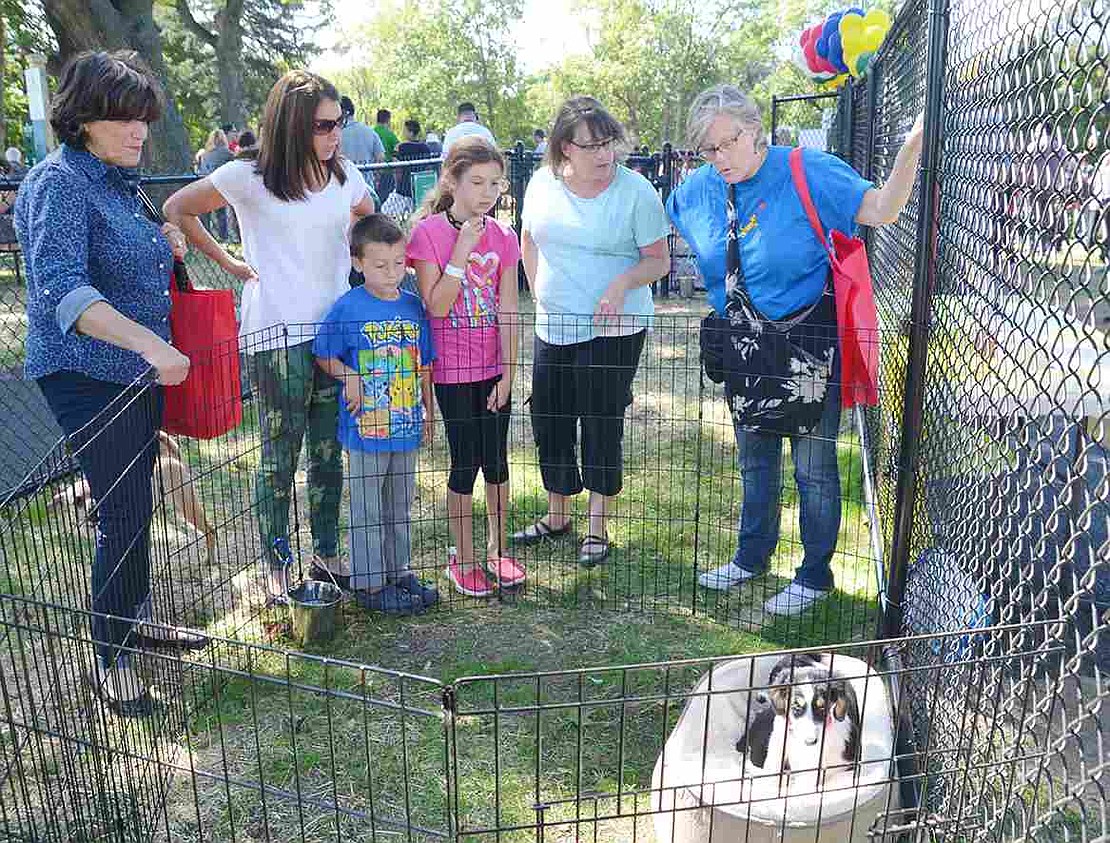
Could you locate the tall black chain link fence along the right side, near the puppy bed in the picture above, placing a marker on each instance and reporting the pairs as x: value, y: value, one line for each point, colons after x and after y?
x: 992, y: 441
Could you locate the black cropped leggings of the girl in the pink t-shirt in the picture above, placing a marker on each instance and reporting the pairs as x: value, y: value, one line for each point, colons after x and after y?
x: 477, y: 438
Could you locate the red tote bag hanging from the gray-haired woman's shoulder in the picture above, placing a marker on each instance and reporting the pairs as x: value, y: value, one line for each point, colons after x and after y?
x: 856, y: 318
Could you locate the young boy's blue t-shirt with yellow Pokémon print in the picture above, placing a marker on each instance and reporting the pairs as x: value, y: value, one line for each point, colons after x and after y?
x: 388, y: 343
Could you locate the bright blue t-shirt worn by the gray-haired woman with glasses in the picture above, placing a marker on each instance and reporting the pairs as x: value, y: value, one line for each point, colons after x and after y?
x: 785, y: 267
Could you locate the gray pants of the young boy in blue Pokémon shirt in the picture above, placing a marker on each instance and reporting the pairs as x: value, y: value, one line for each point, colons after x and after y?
x: 382, y: 485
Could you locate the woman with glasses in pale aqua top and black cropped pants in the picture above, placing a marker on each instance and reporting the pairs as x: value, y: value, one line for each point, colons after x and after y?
x: 594, y: 238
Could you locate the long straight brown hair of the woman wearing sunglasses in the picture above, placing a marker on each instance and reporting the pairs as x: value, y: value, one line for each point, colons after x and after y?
x: 286, y: 152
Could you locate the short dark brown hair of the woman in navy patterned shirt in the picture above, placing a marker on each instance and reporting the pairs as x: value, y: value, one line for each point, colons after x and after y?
x: 104, y: 86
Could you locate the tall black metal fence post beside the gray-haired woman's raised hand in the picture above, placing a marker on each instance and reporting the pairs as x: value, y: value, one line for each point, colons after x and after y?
x: 925, y: 269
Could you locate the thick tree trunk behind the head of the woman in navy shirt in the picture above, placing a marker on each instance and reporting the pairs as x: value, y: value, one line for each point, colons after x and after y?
x: 99, y: 25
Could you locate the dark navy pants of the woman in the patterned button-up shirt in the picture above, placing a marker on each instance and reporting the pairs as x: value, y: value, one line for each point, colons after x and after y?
x: 114, y: 434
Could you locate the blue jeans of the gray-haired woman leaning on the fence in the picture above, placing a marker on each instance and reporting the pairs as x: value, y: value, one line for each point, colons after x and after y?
x: 760, y: 457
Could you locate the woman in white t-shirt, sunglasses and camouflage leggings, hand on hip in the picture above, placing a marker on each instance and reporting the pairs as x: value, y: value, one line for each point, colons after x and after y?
x: 295, y: 199
